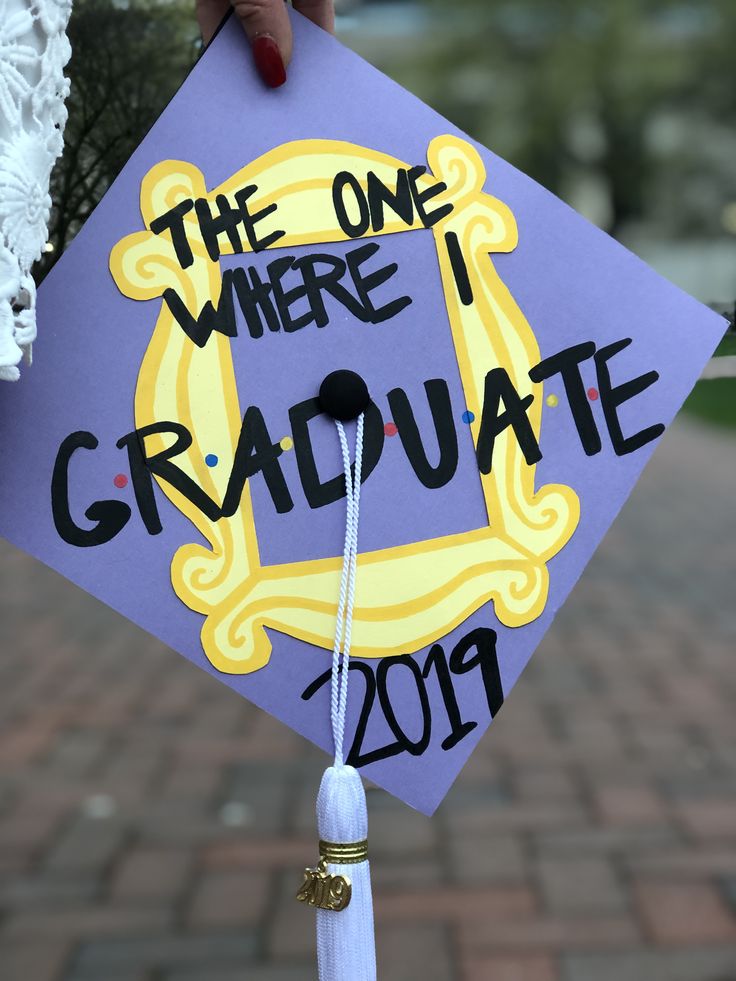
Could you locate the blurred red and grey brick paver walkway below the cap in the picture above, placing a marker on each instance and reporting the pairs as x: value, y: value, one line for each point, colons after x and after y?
x: 153, y: 826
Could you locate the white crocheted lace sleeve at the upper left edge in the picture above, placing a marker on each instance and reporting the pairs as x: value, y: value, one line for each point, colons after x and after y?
x: 33, y: 51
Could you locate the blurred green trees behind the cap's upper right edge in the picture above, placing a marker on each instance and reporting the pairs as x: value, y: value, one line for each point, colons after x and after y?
x: 637, y: 96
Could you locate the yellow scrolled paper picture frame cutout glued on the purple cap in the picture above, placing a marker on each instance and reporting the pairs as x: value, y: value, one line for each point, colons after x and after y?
x: 408, y: 596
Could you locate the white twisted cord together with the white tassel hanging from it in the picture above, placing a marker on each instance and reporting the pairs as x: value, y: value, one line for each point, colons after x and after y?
x: 345, y: 938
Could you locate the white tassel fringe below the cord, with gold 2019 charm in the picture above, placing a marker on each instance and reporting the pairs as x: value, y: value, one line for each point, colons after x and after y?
x: 346, y: 948
